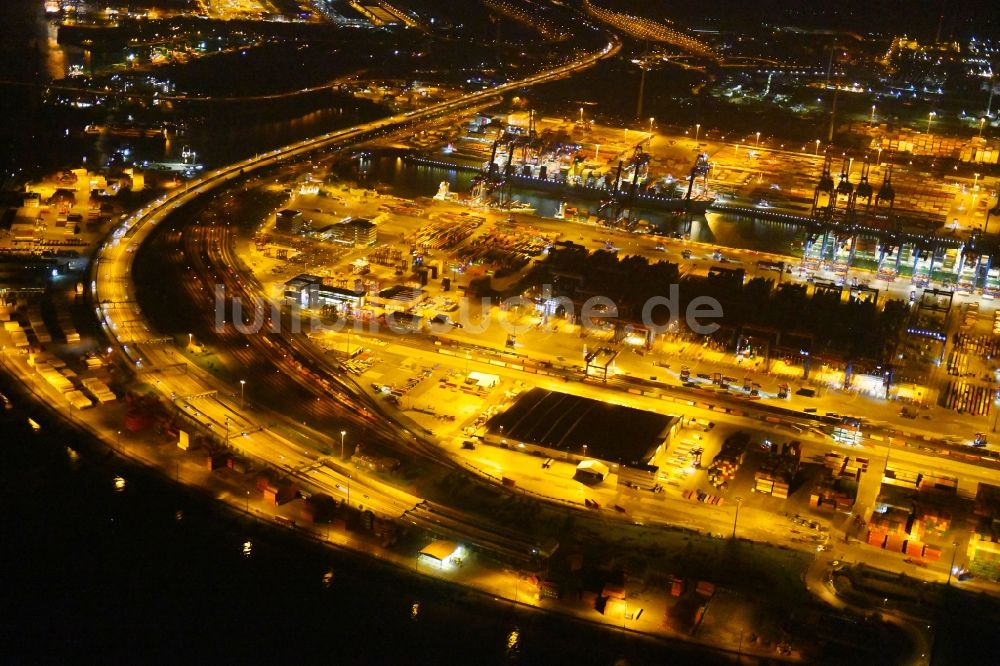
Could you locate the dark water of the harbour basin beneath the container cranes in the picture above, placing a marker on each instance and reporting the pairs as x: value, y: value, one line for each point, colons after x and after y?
x: 736, y: 231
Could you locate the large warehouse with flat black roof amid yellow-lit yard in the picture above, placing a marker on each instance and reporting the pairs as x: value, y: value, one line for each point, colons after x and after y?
x: 564, y: 425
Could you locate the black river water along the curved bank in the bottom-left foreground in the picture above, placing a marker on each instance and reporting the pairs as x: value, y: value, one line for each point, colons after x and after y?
x: 155, y: 573
